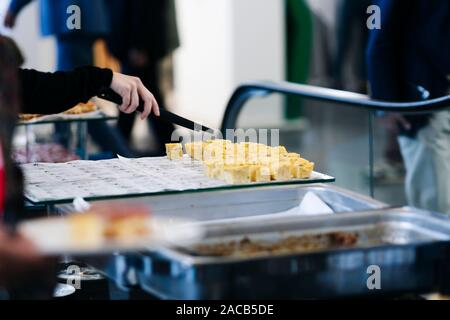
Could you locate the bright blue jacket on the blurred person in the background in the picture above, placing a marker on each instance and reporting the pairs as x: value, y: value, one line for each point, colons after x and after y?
x: 94, y: 16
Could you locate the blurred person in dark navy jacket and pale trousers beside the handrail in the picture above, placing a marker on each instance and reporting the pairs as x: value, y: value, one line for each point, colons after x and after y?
x: 408, y: 60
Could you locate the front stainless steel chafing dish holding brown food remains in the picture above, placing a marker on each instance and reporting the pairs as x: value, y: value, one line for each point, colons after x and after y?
x: 407, y: 245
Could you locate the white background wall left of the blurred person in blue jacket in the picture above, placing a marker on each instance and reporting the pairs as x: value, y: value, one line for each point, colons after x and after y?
x: 39, y: 52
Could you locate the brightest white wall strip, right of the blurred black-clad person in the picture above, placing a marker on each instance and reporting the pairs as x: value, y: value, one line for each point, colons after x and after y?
x: 203, y: 71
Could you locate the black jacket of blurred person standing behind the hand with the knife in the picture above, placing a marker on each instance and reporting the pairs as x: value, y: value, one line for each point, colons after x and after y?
x: 146, y: 25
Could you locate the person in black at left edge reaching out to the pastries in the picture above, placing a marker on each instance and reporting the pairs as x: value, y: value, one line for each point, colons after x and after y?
x: 22, y: 270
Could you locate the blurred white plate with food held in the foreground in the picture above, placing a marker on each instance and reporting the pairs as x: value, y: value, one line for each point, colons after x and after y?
x: 52, y: 236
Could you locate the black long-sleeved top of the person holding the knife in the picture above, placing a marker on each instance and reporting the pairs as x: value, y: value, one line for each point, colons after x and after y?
x: 42, y: 93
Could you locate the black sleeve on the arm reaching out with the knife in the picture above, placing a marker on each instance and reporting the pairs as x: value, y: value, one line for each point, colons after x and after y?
x: 49, y: 93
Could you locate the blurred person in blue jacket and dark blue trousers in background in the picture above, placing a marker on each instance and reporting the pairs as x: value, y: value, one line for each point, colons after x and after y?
x: 75, y: 49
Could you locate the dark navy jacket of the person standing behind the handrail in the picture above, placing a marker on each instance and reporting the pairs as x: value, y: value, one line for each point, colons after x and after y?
x: 411, y: 49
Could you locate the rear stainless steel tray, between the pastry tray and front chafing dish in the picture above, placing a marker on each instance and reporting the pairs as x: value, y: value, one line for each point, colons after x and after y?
x: 231, y: 207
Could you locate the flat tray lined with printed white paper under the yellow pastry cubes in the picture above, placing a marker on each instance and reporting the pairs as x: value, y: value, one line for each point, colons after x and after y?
x: 48, y: 184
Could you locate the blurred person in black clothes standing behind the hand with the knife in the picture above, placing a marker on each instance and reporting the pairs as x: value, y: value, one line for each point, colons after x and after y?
x: 147, y: 33
